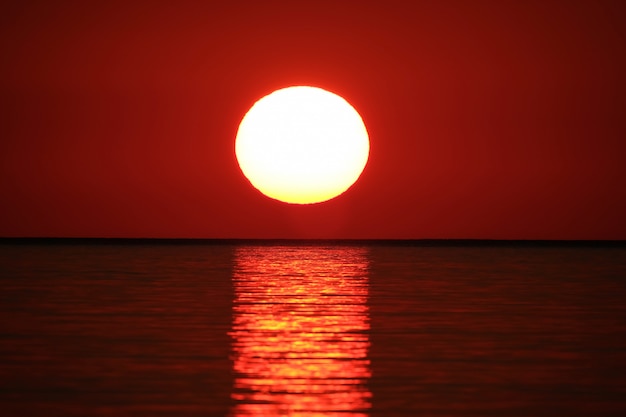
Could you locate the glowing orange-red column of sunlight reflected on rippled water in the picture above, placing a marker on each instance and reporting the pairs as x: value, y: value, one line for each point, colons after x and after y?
x: 300, y: 332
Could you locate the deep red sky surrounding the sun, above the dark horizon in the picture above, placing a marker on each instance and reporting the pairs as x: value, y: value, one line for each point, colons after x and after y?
x: 487, y: 119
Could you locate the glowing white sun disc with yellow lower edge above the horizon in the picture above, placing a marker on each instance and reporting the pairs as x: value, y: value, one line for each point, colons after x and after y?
x: 302, y: 145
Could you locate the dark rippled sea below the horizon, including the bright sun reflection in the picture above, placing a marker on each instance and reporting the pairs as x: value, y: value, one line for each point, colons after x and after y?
x: 333, y: 329
